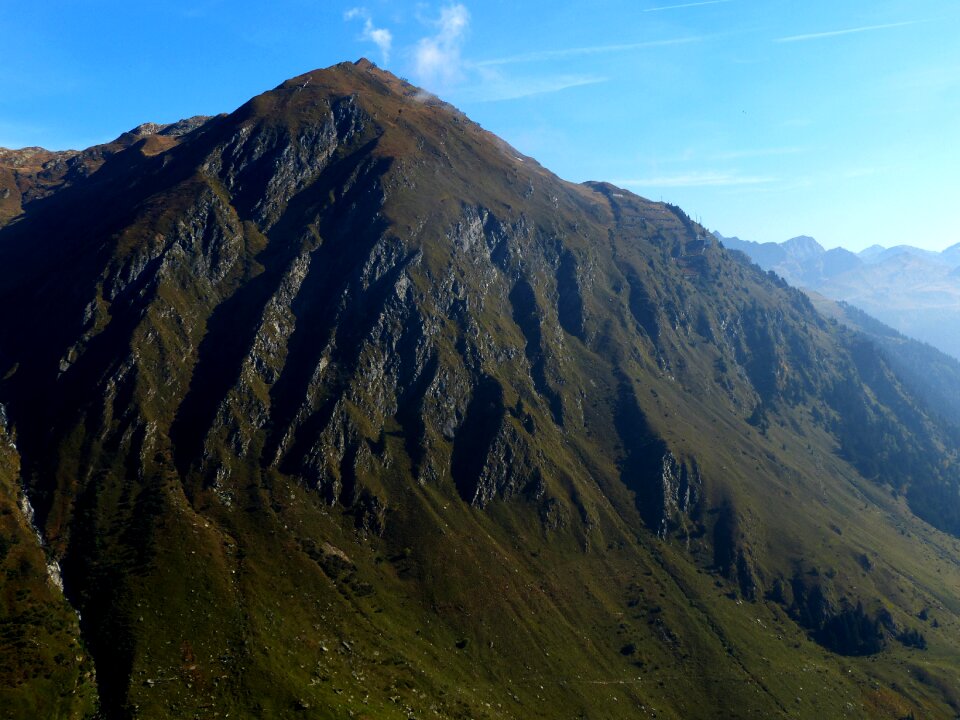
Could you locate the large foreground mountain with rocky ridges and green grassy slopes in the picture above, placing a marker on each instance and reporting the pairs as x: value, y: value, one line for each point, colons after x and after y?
x: 340, y: 406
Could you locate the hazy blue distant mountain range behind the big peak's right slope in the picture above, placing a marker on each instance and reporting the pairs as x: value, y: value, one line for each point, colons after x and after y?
x: 915, y: 291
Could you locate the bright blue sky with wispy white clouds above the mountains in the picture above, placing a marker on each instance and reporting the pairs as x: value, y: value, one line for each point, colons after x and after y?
x: 764, y: 119
